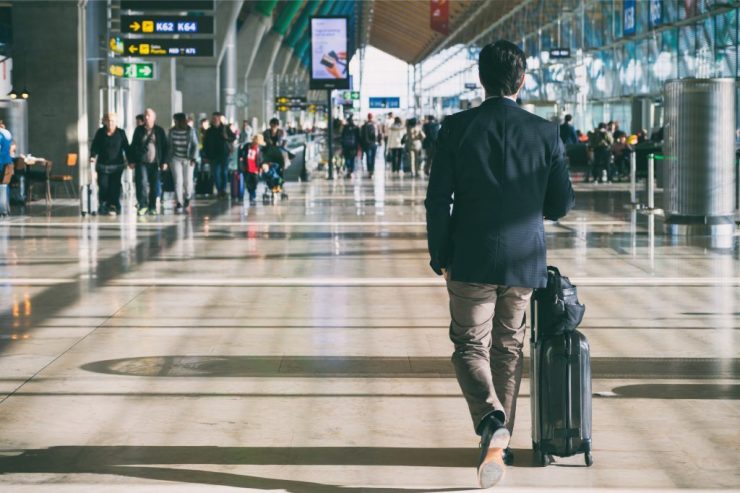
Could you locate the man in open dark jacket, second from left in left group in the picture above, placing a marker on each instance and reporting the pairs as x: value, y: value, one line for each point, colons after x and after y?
x: 148, y: 156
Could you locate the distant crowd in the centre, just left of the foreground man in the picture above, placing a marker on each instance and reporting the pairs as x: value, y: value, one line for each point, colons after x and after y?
x: 409, y: 146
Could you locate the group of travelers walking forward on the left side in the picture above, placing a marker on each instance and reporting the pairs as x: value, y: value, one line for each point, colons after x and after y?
x: 185, y: 160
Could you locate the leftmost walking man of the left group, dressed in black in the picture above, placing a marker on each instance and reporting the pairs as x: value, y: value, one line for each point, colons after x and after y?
x: 108, y: 153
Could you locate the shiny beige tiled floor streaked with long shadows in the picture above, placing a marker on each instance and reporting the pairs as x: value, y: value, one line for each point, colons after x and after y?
x: 302, y: 347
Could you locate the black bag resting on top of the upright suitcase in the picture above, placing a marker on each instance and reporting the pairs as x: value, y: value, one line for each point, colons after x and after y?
x: 559, y: 311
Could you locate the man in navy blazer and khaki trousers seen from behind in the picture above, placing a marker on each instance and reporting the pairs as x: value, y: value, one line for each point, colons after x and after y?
x: 502, y: 169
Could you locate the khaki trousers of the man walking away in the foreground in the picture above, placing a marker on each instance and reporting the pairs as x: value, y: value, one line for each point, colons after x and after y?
x: 488, y: 329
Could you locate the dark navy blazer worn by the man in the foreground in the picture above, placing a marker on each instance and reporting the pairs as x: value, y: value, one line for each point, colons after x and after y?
x: 502, y: 169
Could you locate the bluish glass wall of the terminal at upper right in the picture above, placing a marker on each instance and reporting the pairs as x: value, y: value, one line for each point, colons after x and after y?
x: 616, y: 52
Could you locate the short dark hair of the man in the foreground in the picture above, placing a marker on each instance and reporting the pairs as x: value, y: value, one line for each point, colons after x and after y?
x: 501, y: 67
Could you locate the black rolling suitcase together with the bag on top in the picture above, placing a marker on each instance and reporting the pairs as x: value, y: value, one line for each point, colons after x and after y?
x: 560, y: 373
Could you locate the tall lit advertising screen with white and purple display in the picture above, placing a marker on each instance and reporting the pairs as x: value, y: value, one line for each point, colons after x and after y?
x: 329, y: 64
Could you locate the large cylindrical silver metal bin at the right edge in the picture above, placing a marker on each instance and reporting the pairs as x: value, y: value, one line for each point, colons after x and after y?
x: 700, y: 156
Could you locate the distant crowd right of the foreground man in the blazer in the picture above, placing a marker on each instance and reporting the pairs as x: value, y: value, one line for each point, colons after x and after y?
x: 608, y: 148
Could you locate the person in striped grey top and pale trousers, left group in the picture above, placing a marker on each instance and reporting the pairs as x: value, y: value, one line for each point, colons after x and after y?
x: 183, y: 148
